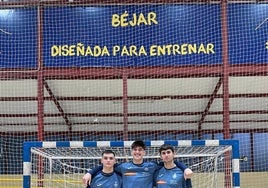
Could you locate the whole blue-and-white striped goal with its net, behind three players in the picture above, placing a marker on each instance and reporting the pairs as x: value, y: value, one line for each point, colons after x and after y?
x: 62, y: 164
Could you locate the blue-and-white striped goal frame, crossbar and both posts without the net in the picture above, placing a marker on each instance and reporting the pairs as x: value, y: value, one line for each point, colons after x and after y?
x: 38, y: 148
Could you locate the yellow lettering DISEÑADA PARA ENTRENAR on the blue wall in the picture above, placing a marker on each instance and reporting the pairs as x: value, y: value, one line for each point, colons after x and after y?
x: 154, y: 50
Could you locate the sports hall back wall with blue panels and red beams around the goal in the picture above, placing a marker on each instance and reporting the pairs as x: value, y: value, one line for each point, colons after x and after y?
x: 126, y: 70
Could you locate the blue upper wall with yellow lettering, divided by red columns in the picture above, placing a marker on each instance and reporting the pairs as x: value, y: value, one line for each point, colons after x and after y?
x: 71, y: 34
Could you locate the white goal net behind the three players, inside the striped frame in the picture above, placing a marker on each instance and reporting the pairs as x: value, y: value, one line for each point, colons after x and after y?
x: 64, y: 167
